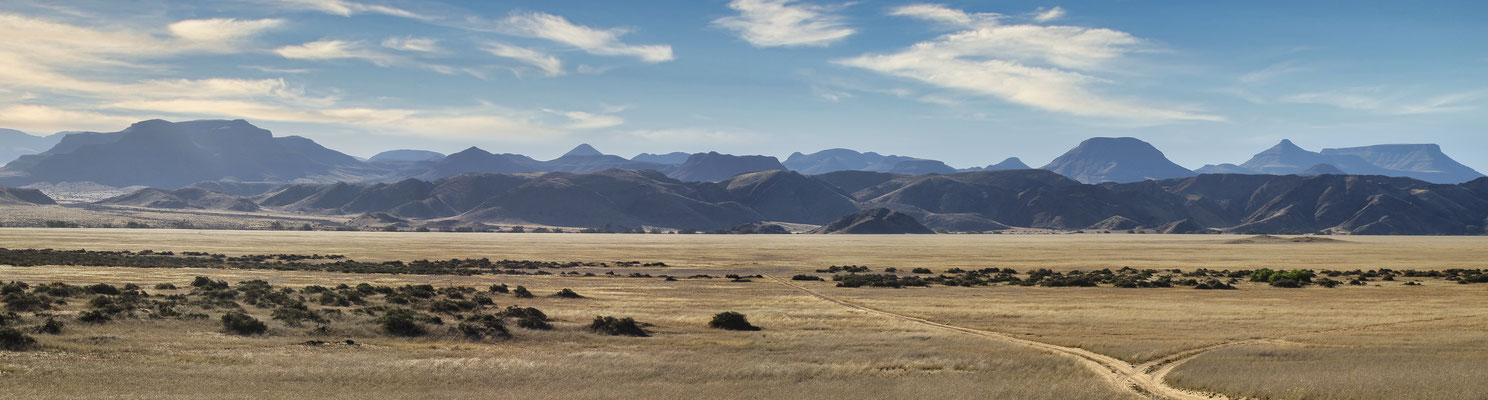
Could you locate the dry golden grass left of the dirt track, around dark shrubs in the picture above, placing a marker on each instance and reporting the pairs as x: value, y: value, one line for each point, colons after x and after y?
x: 809, y: 350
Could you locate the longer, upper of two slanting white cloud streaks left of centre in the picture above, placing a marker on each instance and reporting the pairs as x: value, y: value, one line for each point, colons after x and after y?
x: 593, y: 41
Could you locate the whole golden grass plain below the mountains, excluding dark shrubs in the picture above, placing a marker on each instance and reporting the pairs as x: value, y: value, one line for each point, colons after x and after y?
x: 1382, y: 341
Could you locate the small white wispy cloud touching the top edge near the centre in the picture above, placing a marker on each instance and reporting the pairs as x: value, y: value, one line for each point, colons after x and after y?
x: 785, y: 25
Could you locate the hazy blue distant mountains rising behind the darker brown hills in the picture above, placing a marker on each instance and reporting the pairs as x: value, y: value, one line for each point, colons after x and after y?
x: 169, y: 155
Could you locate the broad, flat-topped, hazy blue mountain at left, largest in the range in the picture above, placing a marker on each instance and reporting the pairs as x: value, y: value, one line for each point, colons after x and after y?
x: 163, y: 154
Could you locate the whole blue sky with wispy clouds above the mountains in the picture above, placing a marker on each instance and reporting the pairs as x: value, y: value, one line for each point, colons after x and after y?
x: 965, y: 83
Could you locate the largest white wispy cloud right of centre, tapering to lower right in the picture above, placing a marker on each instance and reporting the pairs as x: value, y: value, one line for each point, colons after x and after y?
x: 1047, y: 68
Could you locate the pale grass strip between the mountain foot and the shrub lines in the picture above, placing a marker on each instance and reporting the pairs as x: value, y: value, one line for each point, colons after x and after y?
x: 786, y: 254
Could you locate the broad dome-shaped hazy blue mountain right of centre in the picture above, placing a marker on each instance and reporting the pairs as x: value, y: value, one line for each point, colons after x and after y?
x: 1117, y: 160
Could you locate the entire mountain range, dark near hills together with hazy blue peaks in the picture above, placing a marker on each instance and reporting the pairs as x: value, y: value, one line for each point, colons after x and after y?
x: 1103, y: 184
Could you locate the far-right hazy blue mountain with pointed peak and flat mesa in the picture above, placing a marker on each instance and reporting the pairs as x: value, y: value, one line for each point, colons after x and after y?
x: 1417, y: 161
